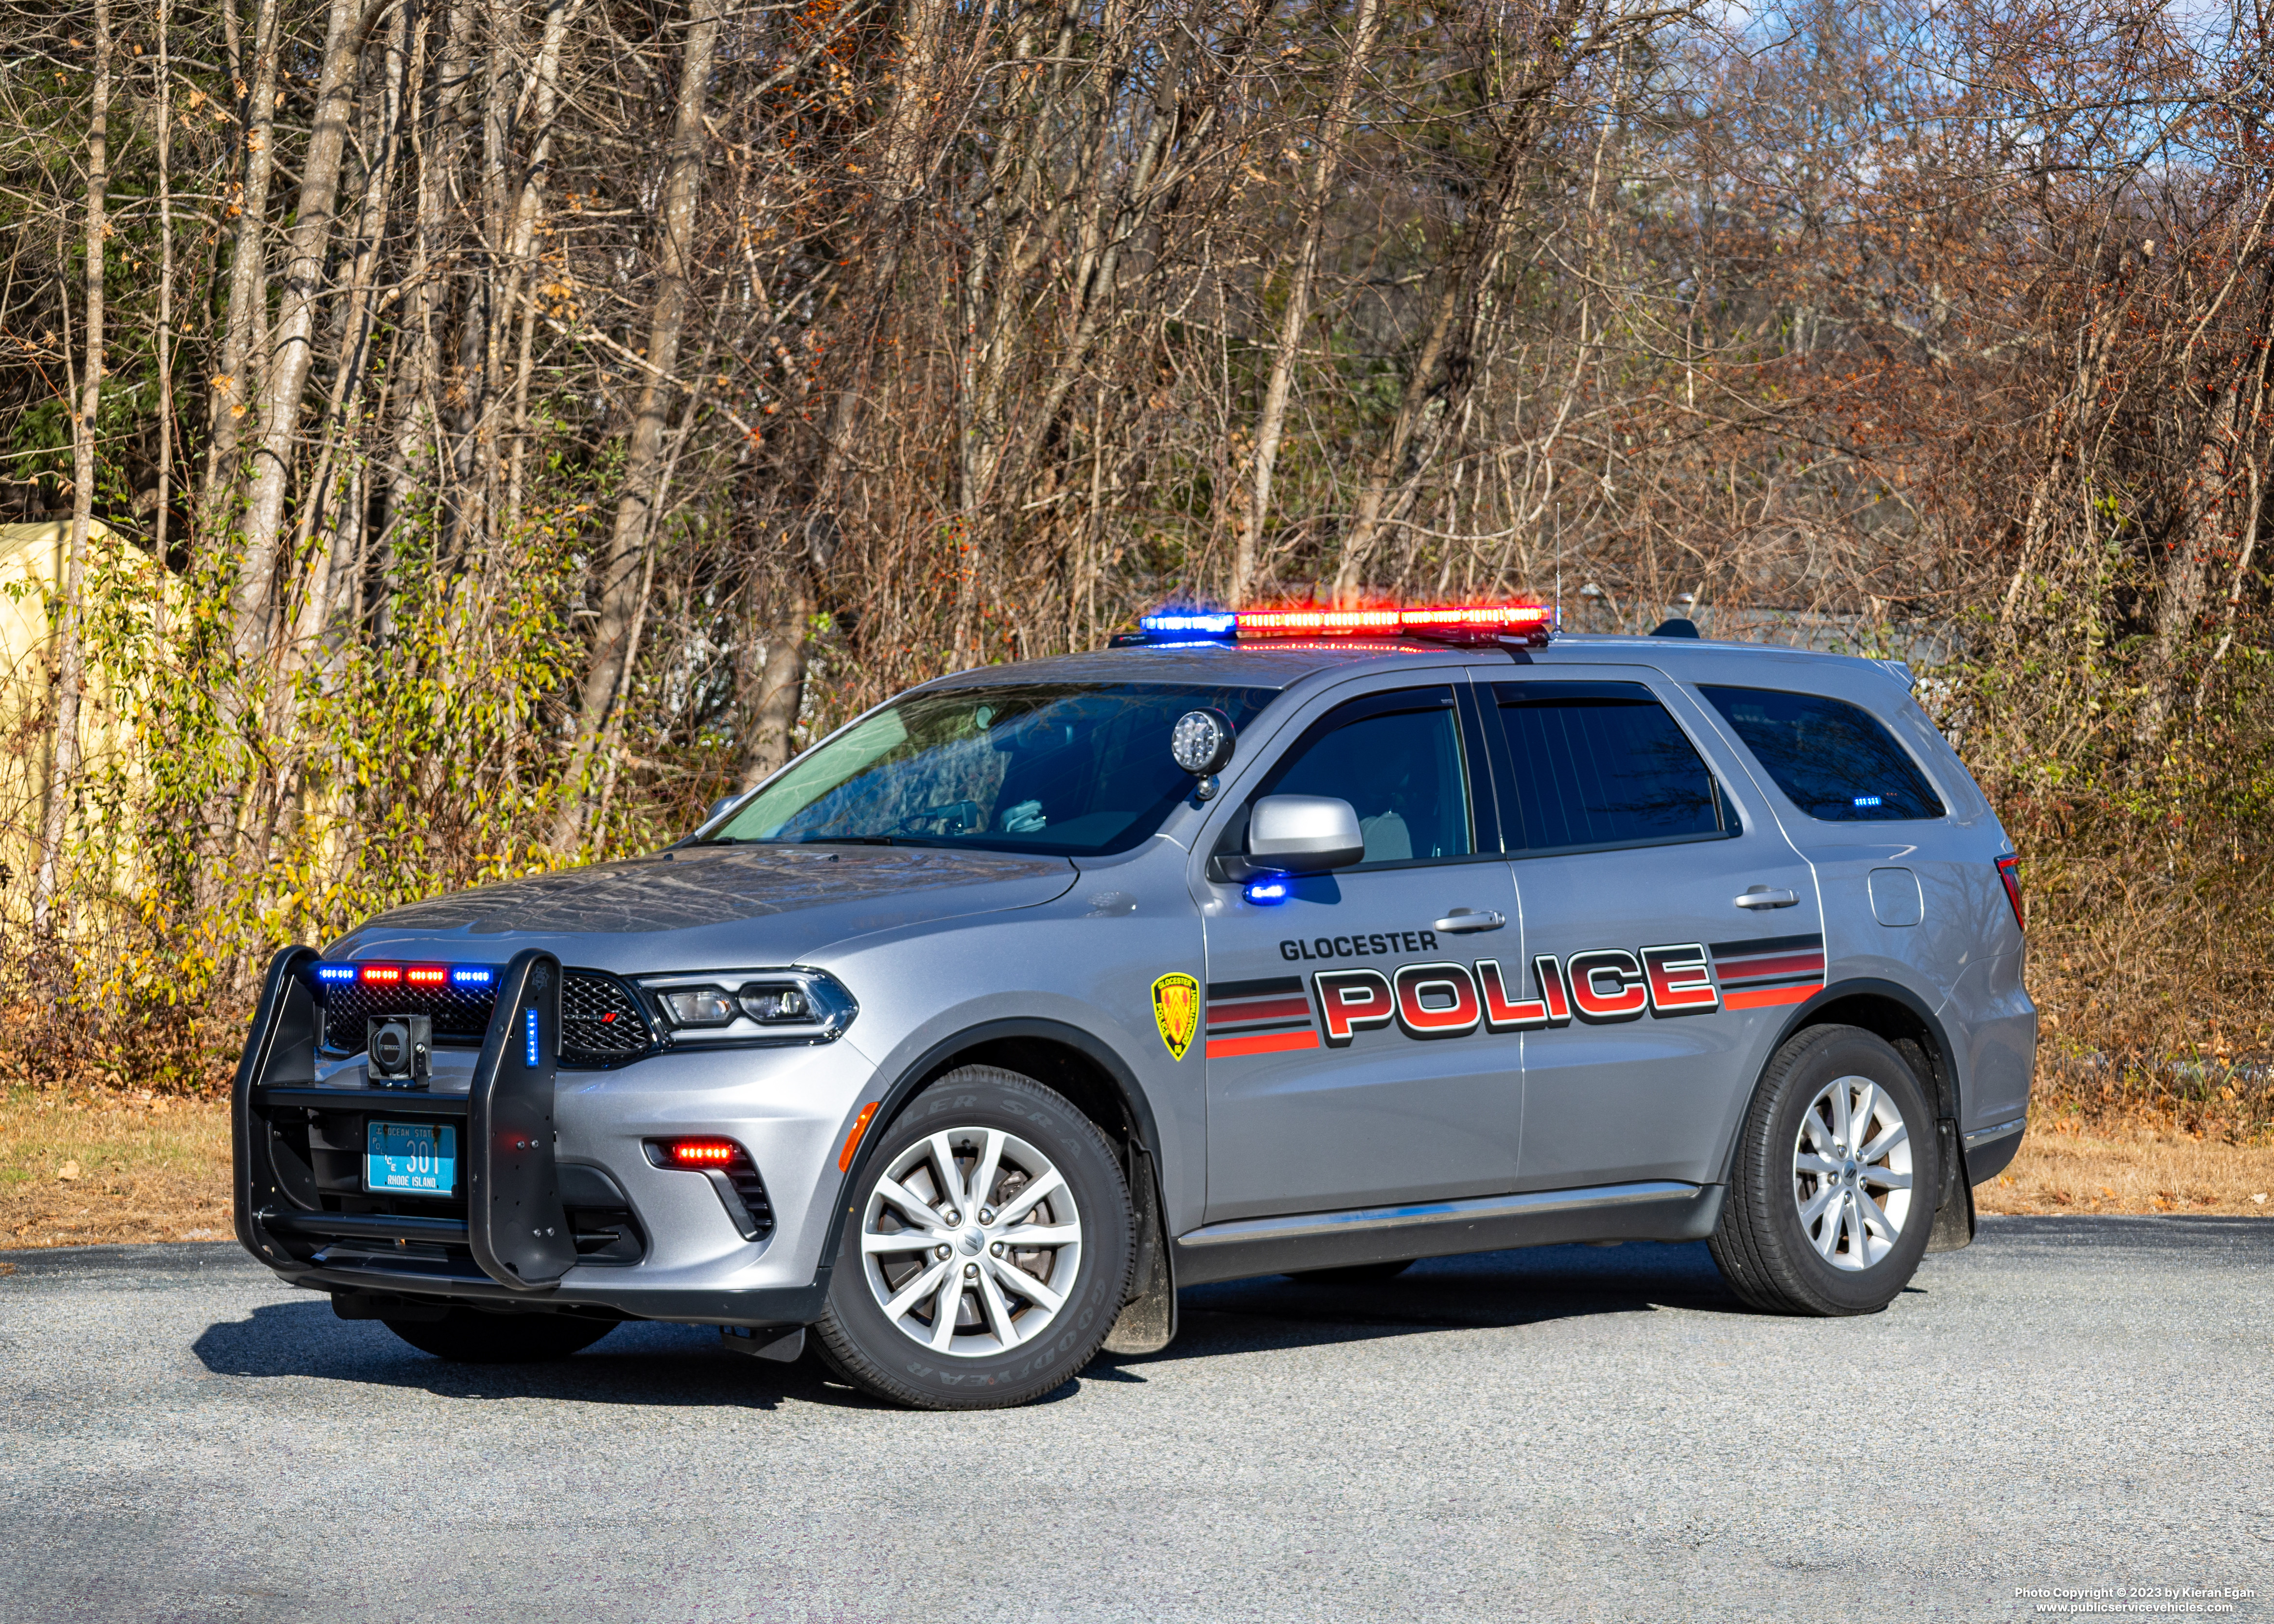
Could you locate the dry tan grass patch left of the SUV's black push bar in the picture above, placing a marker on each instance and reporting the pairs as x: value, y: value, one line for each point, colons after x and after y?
x: 81, y: 1170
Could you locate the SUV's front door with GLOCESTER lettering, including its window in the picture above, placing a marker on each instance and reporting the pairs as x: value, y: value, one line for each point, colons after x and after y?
x: 1347, y: 1052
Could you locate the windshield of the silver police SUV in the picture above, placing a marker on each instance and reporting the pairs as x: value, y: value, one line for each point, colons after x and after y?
x: 1054, y: 768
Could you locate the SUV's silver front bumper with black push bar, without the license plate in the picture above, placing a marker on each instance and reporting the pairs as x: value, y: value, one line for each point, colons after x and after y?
x: 626, y: 1238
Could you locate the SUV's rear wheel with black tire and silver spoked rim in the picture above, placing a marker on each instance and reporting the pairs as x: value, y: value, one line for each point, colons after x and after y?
x: 1832, y: 1193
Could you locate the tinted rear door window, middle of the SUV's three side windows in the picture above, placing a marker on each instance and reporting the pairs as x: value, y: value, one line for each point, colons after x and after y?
x: 1604, y: 765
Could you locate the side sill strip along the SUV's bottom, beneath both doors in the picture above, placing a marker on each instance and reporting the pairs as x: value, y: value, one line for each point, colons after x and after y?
x: 1436, y: 1229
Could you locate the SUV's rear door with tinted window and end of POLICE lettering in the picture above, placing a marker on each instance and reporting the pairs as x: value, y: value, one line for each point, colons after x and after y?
x: 1668, y: 927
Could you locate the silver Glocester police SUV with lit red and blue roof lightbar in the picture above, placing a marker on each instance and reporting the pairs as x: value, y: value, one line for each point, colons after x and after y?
x: 1254, y: 945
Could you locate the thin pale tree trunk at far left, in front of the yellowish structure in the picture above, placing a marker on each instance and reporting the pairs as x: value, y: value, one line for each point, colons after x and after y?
x: 72, y: 633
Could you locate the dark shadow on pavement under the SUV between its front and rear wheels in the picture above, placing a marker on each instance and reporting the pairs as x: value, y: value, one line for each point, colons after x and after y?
x: 1488, y: 1291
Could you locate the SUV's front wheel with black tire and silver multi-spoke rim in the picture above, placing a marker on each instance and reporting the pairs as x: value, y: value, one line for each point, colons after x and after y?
x: 986, y: 1254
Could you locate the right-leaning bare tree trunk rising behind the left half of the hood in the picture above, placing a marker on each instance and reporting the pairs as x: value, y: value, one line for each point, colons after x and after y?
x: 622, y: 572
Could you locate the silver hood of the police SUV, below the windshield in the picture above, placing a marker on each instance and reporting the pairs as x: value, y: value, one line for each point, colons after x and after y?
x: 711, y: 906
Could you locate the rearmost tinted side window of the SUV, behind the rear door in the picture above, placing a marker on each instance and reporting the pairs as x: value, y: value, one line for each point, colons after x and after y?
x: 1834, y: 761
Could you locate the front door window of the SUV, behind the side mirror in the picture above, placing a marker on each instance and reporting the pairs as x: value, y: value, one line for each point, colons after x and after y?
x: 1402, y: 772
